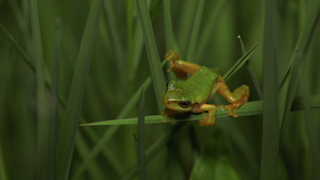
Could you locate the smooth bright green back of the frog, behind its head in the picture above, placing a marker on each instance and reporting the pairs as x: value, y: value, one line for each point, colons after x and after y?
x: 202, y: 84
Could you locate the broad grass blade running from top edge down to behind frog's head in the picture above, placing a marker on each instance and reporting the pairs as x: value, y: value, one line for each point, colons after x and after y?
x: 153, y: 55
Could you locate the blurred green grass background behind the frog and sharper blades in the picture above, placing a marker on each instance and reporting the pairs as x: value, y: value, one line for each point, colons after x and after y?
x: 230, y: 149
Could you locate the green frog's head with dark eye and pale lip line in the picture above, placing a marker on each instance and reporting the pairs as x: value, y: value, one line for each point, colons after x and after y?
x: 176, y: 97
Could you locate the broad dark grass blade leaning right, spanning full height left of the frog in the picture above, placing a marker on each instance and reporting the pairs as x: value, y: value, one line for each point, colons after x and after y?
x: 70, y: 121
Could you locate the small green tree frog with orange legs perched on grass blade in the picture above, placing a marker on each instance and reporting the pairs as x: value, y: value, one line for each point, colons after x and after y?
x: 192, y: 94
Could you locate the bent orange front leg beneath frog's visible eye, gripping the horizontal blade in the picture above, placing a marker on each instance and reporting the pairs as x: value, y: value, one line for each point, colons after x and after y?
x: 212, y: 110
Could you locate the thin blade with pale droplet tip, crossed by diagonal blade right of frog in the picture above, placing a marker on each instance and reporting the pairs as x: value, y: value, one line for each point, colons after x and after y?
x: 252, y: 76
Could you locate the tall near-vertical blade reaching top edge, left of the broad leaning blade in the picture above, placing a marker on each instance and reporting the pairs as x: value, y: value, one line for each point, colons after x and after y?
x: 43, y: 116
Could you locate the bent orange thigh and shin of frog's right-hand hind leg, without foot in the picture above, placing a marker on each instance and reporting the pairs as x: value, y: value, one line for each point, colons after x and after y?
x: 239, y: 95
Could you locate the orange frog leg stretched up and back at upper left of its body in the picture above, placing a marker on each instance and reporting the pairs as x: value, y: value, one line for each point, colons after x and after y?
x: 180, y: 67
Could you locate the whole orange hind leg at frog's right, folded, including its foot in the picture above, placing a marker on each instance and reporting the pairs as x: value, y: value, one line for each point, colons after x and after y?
x: 237, y: 98
